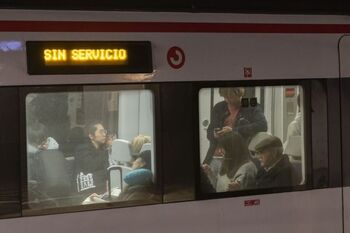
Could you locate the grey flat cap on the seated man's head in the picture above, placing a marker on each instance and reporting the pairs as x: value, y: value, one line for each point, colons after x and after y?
x: 264, y: 140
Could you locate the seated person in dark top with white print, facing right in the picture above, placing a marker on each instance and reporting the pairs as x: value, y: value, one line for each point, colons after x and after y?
x: 91, y: 162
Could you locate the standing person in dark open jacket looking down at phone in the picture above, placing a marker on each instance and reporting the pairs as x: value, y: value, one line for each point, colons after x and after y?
x: 229, y: 117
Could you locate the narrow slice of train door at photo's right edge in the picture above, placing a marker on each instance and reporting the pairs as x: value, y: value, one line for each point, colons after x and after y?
x: 344, y: 54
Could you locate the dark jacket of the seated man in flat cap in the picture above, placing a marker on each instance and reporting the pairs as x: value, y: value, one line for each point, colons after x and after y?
x: 281, y: 175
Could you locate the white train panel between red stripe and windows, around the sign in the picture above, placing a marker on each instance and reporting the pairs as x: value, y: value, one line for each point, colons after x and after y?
x: 208, y: 57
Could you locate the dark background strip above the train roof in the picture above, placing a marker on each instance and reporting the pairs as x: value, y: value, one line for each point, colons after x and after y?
x: 237, y: 6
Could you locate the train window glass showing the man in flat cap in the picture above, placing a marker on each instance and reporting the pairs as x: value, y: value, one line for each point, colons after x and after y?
x: 251, y: 138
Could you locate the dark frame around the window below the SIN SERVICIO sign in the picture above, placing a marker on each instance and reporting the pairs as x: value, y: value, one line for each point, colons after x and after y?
x: 24, y: 91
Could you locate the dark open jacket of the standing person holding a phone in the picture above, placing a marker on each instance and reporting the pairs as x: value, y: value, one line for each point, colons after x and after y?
x: 249, y: 121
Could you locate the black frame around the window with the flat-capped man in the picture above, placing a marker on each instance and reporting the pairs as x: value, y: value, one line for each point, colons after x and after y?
x: 305, y: 84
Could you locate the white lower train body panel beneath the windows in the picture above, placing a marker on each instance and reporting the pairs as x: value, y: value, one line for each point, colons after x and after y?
x: 317, y: 211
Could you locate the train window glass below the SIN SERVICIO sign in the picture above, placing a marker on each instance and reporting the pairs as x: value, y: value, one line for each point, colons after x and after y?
x: 90, y: 146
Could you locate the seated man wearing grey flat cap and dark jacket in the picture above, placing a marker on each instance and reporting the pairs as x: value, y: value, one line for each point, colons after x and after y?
x: 276, y: 170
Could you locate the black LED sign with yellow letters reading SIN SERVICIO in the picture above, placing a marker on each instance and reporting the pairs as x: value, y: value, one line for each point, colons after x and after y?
x: 82, y: 57
